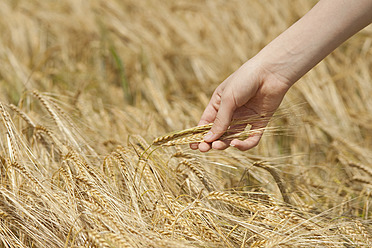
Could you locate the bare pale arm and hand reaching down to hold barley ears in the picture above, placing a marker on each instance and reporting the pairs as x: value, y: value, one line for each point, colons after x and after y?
x: 259, y: 85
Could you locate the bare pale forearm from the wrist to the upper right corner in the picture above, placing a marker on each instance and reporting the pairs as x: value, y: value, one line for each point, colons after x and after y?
x: 314, y: 36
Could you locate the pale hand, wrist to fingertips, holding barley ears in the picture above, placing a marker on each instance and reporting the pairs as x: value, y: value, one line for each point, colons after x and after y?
x: 249, y: 92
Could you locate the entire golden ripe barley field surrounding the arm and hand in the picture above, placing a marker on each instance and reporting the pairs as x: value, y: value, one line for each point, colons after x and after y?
x: 98, y: 103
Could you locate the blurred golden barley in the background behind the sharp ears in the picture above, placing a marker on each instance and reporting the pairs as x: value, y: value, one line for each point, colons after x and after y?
x: 123, y: 68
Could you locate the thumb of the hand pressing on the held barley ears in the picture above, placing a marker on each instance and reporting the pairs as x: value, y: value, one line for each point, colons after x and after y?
x: 222, y: 120
